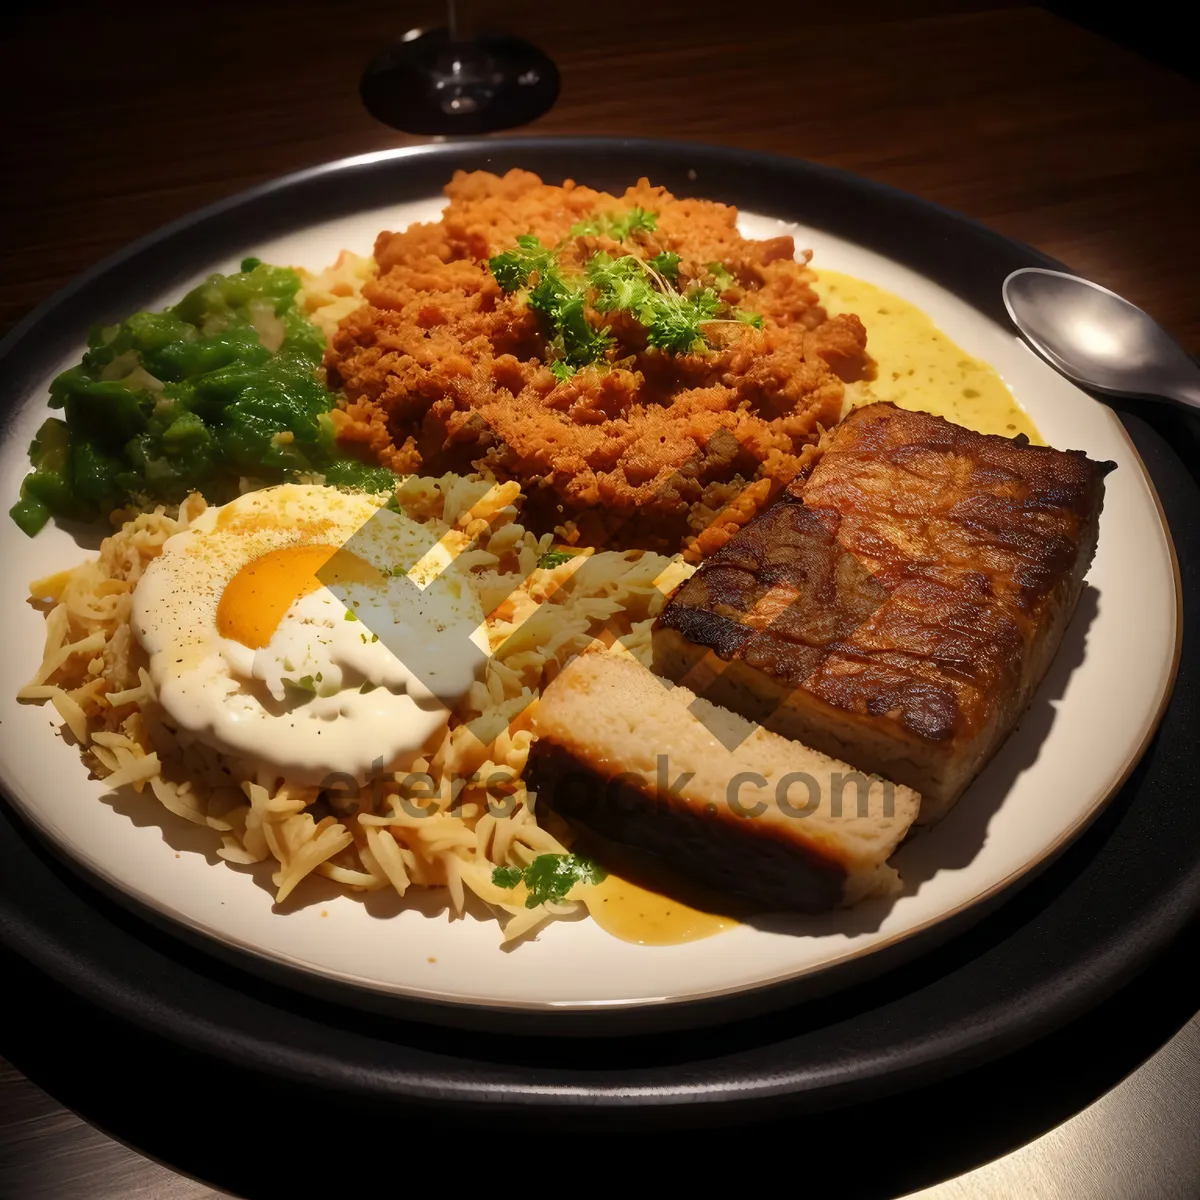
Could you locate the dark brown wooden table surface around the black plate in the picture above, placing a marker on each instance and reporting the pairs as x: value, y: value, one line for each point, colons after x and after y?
x: 124, y: 117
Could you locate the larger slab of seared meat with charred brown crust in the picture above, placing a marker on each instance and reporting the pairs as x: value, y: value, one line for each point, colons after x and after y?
x: 934, y: 571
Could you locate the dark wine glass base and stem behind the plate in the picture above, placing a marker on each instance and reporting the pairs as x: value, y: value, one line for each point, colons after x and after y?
x: 457, y: 81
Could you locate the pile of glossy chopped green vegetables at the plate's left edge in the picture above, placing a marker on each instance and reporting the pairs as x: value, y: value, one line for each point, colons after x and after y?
x: 221, y: 386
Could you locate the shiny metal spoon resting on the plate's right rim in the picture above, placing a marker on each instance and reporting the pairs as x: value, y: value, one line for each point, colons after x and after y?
x: 1095, y: 338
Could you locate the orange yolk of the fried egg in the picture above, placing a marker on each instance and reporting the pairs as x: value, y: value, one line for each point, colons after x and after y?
x: 259, y: 597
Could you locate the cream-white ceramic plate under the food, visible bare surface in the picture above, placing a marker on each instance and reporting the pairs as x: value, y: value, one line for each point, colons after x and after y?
x: 1085, y: 730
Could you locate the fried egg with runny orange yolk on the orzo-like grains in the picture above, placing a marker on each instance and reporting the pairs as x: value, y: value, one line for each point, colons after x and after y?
x: 303, y: 631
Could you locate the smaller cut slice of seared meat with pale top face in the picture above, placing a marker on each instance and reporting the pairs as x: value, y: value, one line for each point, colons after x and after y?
x: 649, y: 764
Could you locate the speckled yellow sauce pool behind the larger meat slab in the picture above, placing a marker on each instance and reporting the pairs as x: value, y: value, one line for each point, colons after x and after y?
x: 920, y: 368
